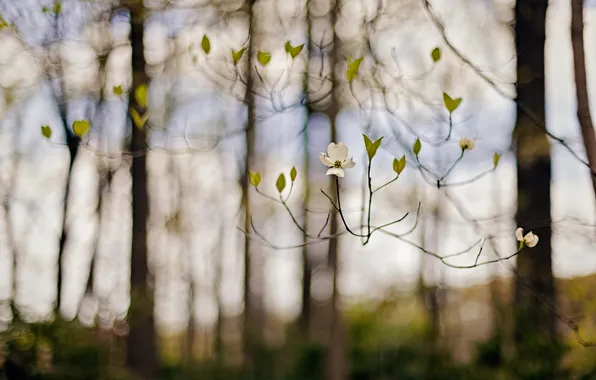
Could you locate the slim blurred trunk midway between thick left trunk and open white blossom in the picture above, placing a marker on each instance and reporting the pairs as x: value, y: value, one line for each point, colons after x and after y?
x: 250, y: 334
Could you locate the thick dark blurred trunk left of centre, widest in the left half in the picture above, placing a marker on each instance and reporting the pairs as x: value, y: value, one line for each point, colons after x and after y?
x: 142, y: 355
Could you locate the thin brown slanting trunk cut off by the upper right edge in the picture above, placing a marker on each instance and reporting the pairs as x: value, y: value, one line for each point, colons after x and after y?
x: 581, y: 86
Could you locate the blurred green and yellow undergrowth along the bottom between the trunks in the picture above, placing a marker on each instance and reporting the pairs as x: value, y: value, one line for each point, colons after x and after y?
x: 389, y: 339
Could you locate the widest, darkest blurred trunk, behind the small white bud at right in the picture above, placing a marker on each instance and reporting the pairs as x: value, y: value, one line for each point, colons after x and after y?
x: 534, y: 332
